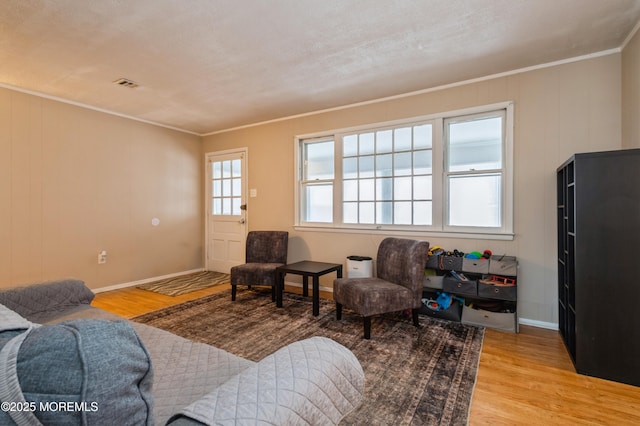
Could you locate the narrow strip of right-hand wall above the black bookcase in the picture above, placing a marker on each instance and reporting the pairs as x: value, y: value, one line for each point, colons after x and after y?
x: 631, y: 93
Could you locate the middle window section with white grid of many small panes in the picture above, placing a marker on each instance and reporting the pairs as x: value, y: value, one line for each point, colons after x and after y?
x: 386, y: 176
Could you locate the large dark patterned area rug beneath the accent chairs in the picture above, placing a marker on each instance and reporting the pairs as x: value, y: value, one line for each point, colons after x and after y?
x: 414, y: 376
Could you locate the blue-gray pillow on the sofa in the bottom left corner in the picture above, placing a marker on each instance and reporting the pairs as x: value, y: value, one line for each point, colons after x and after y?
x: 89, y: 372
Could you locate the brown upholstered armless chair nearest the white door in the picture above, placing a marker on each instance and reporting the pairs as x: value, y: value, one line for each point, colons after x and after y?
x: 265, y: 251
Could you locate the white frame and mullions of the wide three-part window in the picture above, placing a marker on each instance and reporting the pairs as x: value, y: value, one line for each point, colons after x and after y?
x: 439, y: 226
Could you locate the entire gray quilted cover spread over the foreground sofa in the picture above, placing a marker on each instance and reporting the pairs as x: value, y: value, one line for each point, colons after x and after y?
x: 311, y: 382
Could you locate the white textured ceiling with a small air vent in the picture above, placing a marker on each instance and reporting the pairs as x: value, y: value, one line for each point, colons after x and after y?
x: 207, y: 65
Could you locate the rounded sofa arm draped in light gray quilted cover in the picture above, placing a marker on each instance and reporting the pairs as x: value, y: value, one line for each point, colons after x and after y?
x: 310, y: 382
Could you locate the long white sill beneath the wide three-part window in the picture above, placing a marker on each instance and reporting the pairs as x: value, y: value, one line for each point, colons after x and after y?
x: 407, y: 232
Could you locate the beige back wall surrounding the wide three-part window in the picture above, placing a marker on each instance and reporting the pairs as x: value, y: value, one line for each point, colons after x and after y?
x: 560, y: 110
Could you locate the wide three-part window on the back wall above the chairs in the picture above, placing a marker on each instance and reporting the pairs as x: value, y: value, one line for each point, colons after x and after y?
x: 444, y: 173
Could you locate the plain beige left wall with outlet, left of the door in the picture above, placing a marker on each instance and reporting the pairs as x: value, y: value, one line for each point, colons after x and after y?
x: 74, y: 181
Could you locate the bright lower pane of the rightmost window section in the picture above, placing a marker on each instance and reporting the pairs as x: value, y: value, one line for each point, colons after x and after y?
x: 475, y: 200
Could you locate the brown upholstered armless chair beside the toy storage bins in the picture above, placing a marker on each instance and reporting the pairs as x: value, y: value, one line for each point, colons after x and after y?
x: 398, y: 285
